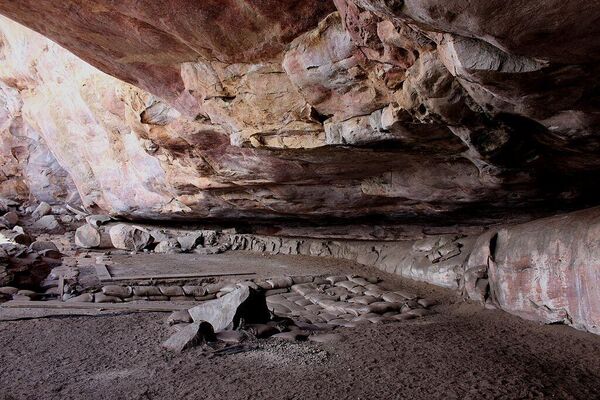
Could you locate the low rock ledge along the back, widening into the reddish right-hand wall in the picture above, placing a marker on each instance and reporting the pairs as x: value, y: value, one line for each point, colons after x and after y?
x: 545, y: 270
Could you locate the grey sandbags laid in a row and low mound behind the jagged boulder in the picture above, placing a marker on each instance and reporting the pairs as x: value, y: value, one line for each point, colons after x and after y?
x: 334, y: 300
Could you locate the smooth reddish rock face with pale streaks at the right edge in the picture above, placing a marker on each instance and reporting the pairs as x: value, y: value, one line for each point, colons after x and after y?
x: 549, y: 270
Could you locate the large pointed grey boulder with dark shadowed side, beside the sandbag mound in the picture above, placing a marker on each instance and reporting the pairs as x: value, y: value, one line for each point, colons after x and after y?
x: 228, y: 311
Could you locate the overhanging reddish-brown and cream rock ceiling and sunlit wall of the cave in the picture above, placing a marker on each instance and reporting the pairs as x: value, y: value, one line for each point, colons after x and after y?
x: 414, y: 109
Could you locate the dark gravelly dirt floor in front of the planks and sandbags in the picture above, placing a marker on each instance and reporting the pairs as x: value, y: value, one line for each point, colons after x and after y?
x: 463, y: 352
